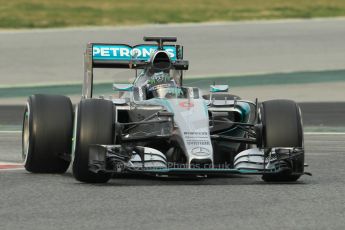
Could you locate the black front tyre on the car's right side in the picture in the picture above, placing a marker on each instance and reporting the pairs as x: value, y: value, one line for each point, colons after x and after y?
x: 282, y: 127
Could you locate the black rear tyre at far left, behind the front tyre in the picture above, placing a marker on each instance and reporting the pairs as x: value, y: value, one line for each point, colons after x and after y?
x: 47, y: 133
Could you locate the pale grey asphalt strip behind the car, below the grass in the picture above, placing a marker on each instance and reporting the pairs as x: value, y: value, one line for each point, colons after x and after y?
x: 55, y: 55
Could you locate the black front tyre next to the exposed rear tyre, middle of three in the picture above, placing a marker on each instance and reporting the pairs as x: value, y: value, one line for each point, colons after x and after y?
x: 94, y: 126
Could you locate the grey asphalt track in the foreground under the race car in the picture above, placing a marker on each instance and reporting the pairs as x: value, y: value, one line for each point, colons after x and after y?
x: 38, y: 201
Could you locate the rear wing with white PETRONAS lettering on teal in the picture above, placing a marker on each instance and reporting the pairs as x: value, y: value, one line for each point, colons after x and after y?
x: 105, y: 55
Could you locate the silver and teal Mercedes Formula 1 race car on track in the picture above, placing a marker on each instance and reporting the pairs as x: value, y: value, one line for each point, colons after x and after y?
x: 157, y: 126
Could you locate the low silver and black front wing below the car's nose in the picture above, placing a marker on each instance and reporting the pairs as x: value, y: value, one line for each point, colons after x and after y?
x: 116, y: 159
